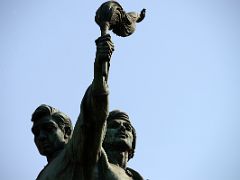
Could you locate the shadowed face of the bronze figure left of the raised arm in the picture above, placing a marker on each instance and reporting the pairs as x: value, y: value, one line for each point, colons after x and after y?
x: 48, y: 136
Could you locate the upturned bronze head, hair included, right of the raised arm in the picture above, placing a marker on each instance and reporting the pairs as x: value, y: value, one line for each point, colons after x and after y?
x: 120, y: 133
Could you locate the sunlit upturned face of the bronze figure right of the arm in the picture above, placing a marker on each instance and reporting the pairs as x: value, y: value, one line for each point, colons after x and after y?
x: 119, y: 134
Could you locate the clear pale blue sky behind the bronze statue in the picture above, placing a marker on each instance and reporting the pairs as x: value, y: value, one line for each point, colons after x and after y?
x: 177, y: 76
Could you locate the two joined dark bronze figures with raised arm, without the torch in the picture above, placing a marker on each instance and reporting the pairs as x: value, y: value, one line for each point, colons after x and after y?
x: 84, y: 153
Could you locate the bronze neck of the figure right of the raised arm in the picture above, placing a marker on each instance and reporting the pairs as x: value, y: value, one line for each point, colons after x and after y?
x: 118, y: 158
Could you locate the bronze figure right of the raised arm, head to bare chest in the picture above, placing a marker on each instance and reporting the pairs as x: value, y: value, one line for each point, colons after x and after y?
x: 119, y: 144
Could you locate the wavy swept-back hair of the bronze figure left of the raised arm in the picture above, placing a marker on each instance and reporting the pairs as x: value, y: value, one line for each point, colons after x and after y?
x: 59, y: 117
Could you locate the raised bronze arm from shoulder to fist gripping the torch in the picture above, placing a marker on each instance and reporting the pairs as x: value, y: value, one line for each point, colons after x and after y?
x: 89, y: 130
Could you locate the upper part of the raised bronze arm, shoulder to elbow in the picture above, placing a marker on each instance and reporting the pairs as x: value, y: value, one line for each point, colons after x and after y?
x: 85, y: 144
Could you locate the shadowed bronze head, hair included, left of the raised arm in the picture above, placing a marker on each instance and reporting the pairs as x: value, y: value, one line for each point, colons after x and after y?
x: 51, y: 128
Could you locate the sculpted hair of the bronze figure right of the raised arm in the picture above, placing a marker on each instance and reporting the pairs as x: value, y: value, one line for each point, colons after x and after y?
x: 116, y: 114
